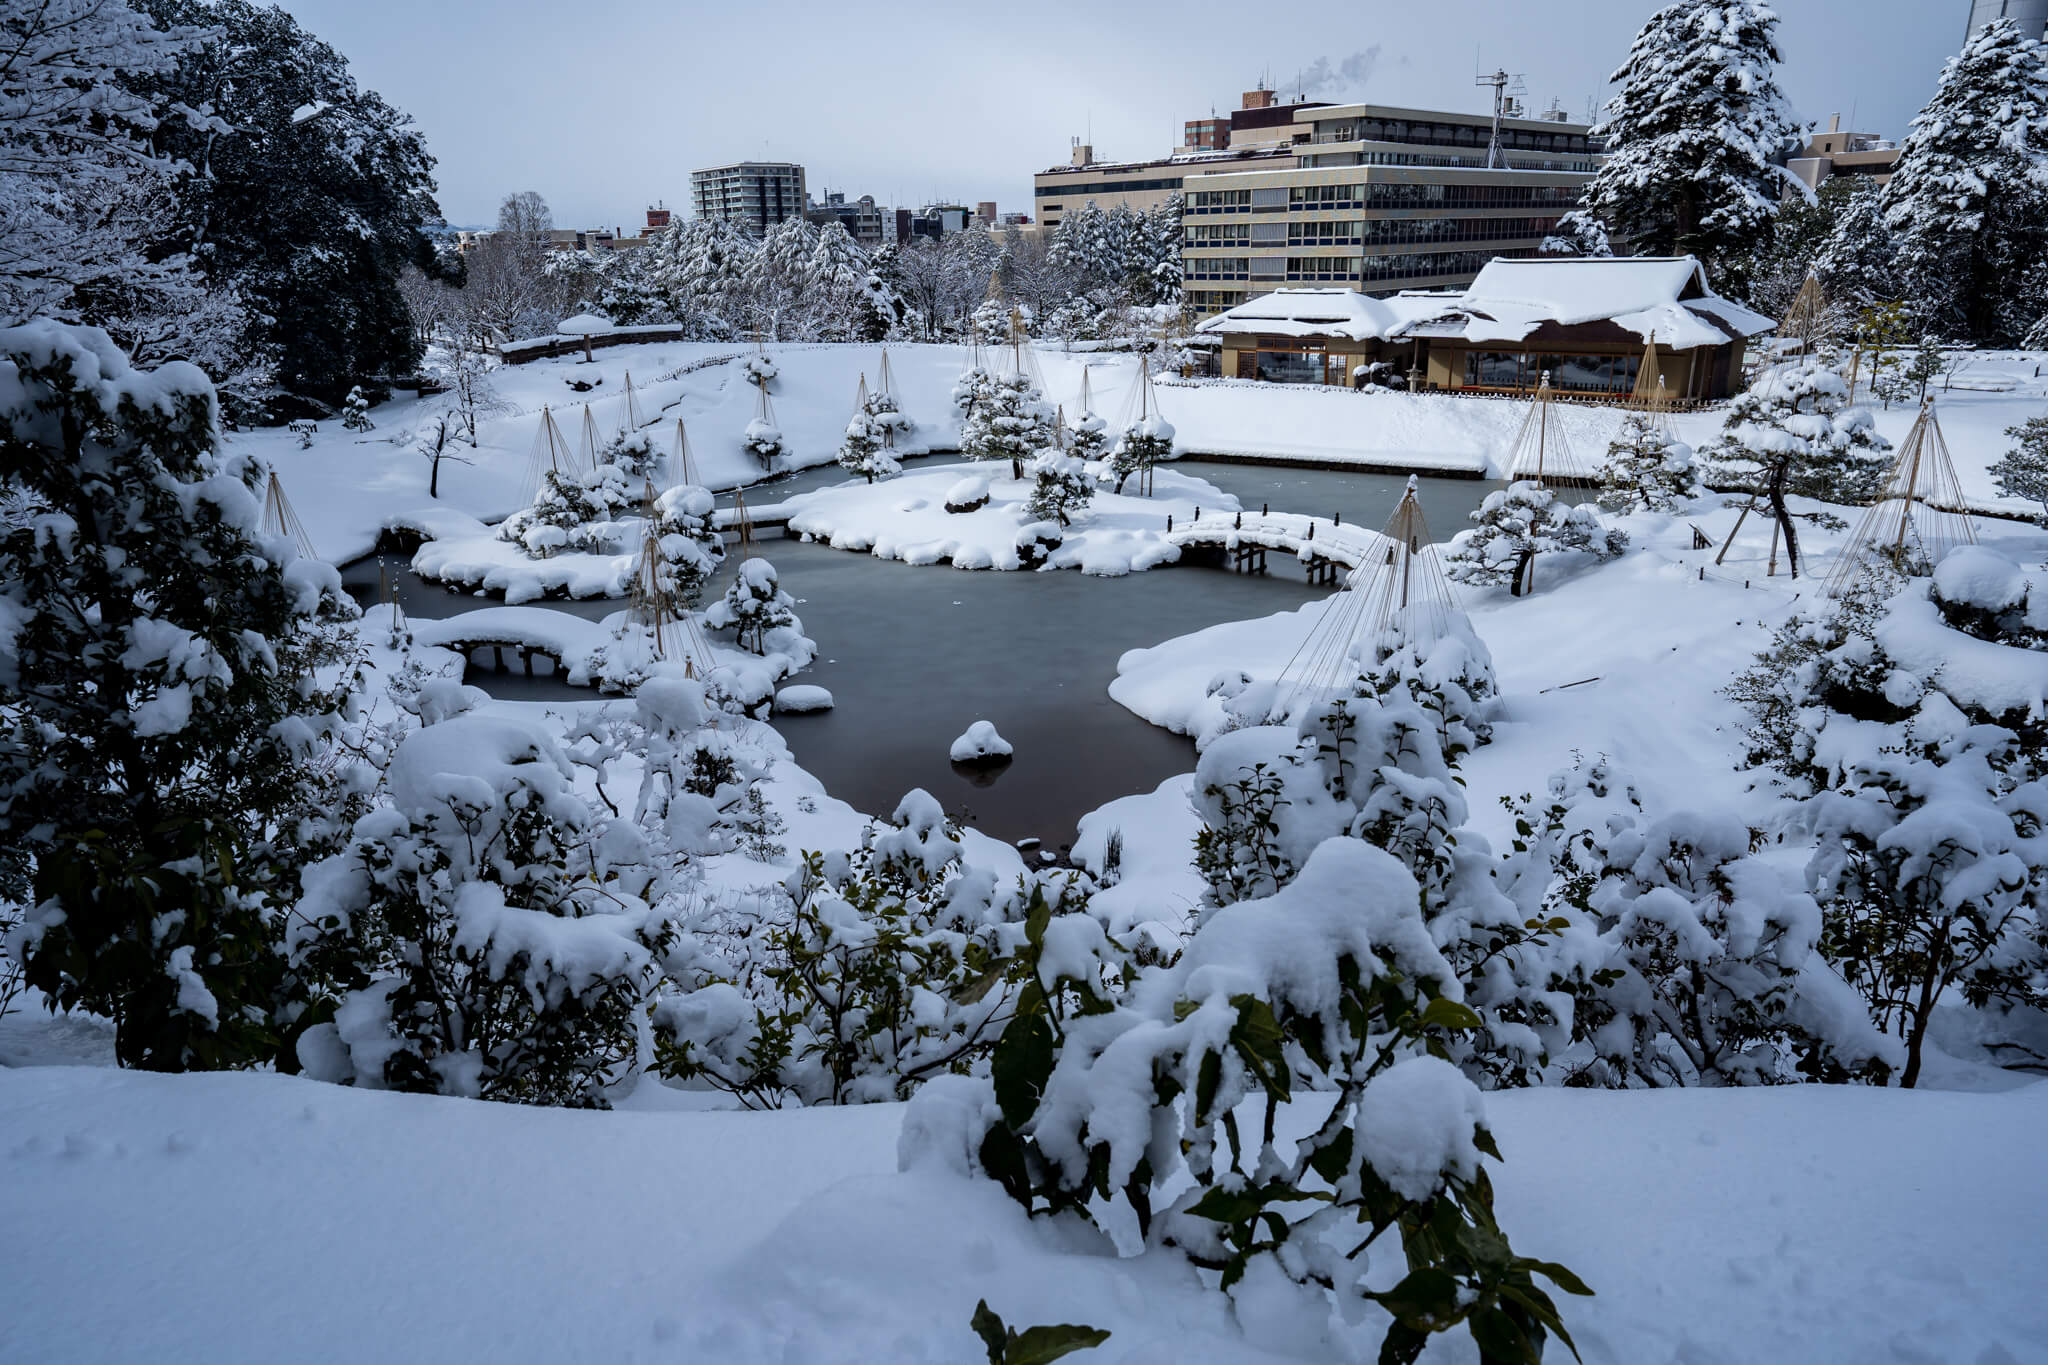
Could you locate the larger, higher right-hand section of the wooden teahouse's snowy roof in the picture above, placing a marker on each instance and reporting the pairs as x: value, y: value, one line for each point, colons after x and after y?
x: 1652, y: 296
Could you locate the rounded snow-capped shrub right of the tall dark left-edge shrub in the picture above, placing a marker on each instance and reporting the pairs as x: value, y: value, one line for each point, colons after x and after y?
x: 499, y: 938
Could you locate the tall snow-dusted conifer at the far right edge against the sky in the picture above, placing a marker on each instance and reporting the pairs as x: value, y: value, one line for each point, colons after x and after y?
x: 1969, y: 197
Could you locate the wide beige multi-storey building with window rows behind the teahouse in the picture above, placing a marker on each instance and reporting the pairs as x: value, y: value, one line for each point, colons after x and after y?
x: 1381, y: 200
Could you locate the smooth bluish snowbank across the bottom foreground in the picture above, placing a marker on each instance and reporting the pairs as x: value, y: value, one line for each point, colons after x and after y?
x: 269, y: 1219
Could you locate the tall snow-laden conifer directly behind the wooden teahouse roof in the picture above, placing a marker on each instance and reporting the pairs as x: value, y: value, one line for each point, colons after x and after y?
x: 1697, y: 136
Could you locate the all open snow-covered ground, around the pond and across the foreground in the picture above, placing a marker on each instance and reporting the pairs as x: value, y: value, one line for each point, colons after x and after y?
x: 257, y: 1217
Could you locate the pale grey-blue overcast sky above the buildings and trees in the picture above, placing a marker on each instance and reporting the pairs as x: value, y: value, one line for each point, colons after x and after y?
x: 605, y: 107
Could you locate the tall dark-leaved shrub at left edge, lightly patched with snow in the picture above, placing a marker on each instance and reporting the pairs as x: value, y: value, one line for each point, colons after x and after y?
x: 173, y: 682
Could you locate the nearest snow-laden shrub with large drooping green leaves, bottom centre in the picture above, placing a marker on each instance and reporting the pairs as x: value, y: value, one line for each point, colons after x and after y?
x: 1119, y: 1108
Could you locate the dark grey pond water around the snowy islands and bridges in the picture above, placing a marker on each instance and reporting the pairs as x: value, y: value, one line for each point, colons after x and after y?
x: 919, y: 654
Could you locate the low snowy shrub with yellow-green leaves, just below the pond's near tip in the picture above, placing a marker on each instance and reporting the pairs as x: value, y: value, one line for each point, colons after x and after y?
x: 871, y: 973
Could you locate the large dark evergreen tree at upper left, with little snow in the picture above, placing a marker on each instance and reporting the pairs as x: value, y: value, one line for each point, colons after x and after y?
x: 312, y: 208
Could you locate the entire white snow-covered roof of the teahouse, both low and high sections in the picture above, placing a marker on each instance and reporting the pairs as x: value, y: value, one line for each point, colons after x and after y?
x: 1652, y: 296
